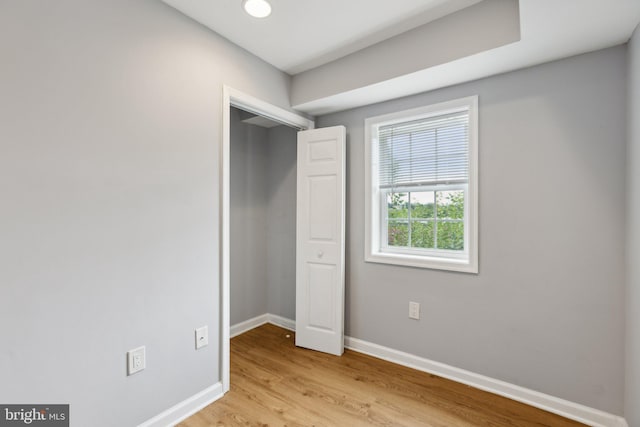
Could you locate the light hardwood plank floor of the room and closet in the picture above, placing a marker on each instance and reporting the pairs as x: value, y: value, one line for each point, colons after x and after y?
x: 274, y: 383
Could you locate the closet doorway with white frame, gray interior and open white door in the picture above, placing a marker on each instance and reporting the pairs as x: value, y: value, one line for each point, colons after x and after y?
x: 283, y: 224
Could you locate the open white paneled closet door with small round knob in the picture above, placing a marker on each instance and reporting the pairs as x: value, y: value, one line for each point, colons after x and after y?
x: 320, y: 240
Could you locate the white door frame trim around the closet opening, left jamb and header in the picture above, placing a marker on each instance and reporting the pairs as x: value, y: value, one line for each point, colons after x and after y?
x: 234, y: 98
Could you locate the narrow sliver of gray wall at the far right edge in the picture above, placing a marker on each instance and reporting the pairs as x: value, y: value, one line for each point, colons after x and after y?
x: 632, y: 373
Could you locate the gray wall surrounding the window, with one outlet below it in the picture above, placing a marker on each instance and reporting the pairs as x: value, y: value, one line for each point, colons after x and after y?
x: 546, y: 310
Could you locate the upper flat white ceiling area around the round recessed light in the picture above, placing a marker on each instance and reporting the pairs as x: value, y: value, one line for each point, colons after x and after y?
x: 303, y: 34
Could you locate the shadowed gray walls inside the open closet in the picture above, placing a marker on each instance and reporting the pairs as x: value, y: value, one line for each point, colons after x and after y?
x: 263, y: 220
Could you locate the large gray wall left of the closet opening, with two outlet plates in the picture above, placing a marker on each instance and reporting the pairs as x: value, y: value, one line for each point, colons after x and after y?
x: 109, y: 141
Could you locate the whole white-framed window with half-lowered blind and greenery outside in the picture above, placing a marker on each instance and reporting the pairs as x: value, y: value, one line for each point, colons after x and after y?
x: 421, y: 187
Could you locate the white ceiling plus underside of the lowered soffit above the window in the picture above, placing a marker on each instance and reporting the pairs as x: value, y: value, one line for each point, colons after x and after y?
x: 304, y: 37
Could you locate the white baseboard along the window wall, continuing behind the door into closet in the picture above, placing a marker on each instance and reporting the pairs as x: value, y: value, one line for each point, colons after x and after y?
x: 565, y: 408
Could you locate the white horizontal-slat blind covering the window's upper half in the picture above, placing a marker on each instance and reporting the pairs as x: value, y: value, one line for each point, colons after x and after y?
x: 427, y: 151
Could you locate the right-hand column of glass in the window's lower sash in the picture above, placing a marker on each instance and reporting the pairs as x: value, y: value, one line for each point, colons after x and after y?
x: 450, y: 224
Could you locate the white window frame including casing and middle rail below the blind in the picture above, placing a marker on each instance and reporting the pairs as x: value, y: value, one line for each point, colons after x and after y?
x: 376, y: 248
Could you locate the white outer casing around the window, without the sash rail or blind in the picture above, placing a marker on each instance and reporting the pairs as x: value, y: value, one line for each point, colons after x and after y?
x: 372, y: 220
